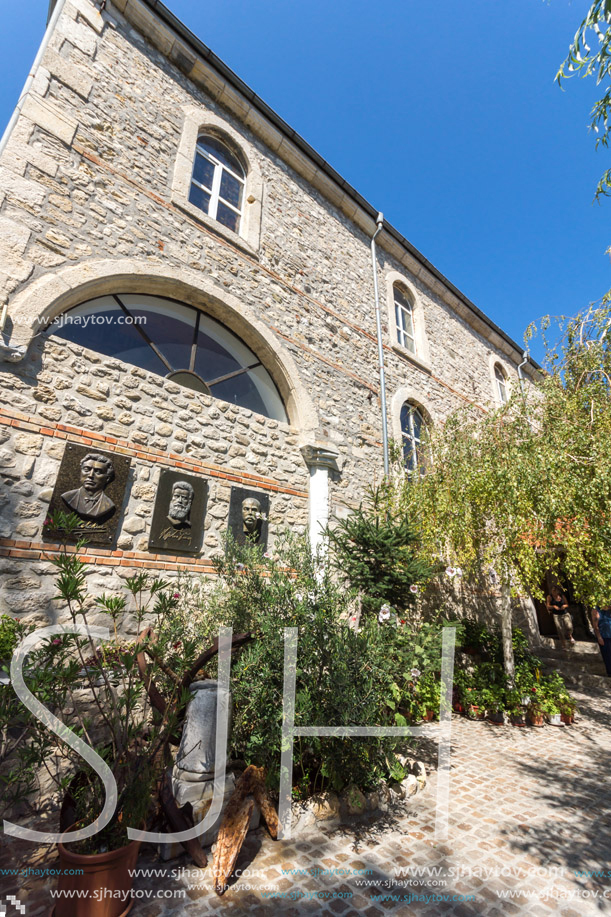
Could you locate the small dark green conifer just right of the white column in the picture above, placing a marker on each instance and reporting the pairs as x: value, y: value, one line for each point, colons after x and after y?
x: 377, y: 550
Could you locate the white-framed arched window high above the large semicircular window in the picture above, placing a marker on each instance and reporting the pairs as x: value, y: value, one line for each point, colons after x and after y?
x: 217, y: 183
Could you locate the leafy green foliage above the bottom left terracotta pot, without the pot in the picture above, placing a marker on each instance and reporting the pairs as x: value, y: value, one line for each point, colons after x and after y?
x: 97, y: 689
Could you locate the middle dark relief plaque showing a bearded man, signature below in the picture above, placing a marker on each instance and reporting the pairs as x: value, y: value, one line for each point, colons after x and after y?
x: 178, y: 516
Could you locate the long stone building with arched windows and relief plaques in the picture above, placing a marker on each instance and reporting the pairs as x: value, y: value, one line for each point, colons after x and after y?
x: 186, y: 288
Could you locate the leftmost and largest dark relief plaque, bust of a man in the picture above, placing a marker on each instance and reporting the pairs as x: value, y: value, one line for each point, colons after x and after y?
x: 91, y: 485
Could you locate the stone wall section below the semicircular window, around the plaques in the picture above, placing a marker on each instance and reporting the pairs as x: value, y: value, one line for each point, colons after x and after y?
x: 64, y: 394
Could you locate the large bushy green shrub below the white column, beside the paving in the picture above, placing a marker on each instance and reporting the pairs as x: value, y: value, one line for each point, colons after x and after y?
x: 344, y: 676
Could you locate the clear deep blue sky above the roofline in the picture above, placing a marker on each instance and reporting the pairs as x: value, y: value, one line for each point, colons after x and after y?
x: 444, y: 115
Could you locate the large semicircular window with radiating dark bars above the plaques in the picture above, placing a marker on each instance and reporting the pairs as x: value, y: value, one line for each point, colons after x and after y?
x: 176, y: 341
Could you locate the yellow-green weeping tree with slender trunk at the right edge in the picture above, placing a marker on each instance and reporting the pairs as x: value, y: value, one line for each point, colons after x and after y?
x: 527, y: 488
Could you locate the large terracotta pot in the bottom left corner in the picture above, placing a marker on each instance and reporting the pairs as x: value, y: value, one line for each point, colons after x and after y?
x: 103, y: 875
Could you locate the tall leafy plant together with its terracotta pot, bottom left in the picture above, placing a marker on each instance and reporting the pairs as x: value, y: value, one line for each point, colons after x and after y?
x: 111, y: 711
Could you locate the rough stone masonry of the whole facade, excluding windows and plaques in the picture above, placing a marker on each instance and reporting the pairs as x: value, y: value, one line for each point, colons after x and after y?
x: 87, y: 175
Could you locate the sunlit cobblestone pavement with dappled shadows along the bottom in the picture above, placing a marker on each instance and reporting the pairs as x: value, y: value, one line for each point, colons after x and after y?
x: 530, y: 810
